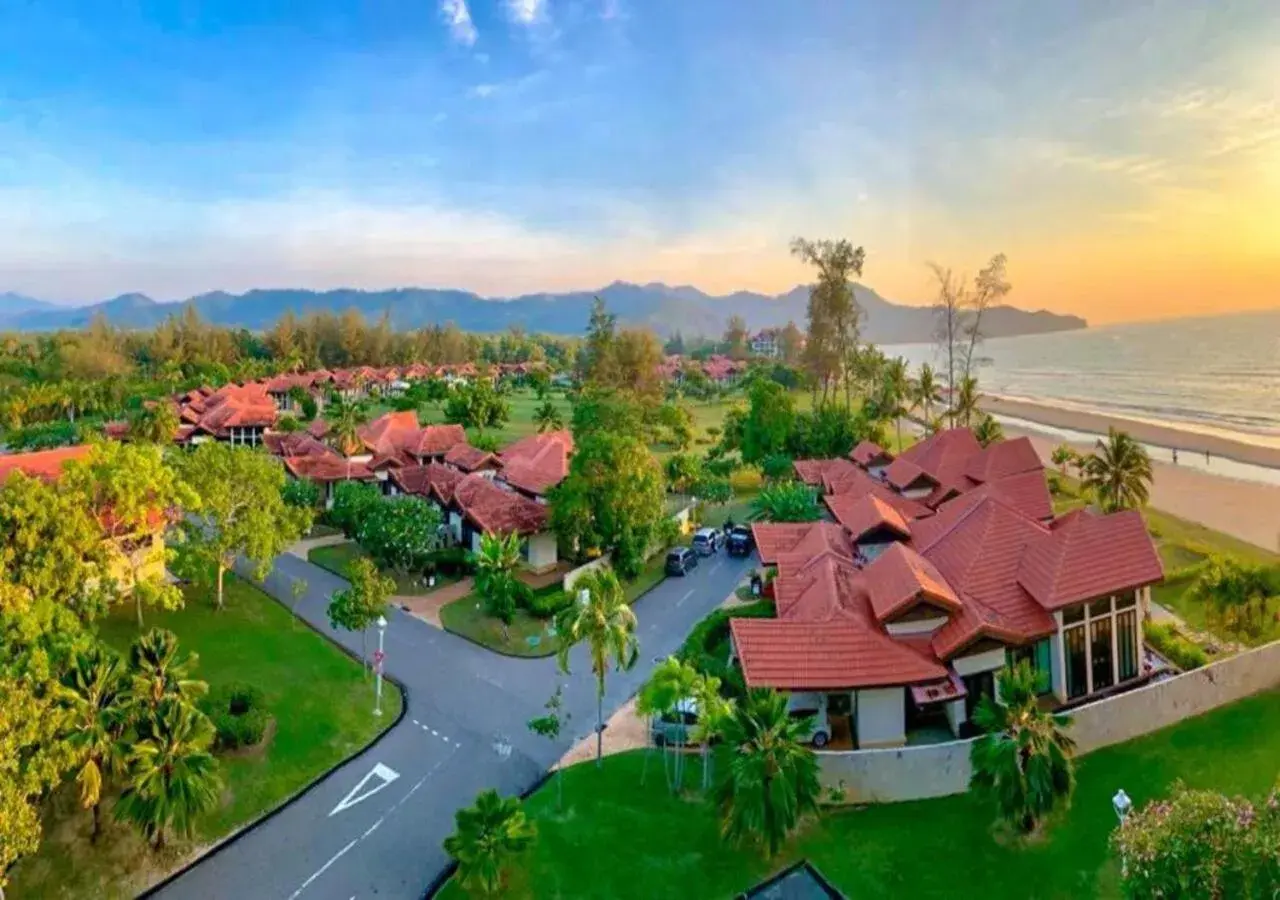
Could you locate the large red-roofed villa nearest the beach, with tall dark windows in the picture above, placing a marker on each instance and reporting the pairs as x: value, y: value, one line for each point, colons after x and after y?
x: 897, y: 616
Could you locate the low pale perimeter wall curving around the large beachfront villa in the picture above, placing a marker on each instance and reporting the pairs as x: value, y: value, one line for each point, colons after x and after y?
x: 939, y: 770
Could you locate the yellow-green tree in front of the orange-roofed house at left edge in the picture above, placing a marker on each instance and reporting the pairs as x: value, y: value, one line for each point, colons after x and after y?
x: 134, y: 492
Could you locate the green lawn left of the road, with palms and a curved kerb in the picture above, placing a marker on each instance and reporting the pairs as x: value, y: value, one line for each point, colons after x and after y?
x: 322, y: 705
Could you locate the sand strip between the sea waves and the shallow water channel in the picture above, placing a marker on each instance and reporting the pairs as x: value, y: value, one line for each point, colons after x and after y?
x: 1148, y: 433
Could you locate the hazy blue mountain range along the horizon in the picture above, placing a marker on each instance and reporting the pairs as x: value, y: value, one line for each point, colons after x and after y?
x: 664, y: 308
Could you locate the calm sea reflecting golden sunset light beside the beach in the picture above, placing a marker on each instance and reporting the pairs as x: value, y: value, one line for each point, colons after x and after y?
x: 1217, y: 376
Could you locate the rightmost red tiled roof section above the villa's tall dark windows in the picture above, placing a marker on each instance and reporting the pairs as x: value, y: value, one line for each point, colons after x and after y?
x: 1066, y: 567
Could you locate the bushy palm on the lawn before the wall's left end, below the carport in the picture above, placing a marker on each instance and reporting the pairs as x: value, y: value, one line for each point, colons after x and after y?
x: 772, y: 778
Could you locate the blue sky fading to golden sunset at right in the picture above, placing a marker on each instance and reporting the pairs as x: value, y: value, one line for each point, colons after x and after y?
x: 1124, y: 156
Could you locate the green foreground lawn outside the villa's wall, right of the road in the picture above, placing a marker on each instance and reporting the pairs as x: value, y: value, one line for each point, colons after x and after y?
x: 620, y: 839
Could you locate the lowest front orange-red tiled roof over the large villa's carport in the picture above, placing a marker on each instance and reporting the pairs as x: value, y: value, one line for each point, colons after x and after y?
x: 825, y: 656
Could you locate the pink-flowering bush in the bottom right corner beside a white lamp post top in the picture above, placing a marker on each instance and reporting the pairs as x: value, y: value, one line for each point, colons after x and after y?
x: 1200, y: 844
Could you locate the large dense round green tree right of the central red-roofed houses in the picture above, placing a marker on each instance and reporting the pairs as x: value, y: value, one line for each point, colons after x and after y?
x: 611, y: 501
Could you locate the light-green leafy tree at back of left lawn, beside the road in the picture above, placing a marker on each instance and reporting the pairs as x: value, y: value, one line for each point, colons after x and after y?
x: 243, y: 509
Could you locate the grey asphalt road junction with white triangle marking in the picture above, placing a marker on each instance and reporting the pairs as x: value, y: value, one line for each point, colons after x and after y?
x: 376, y: 826
